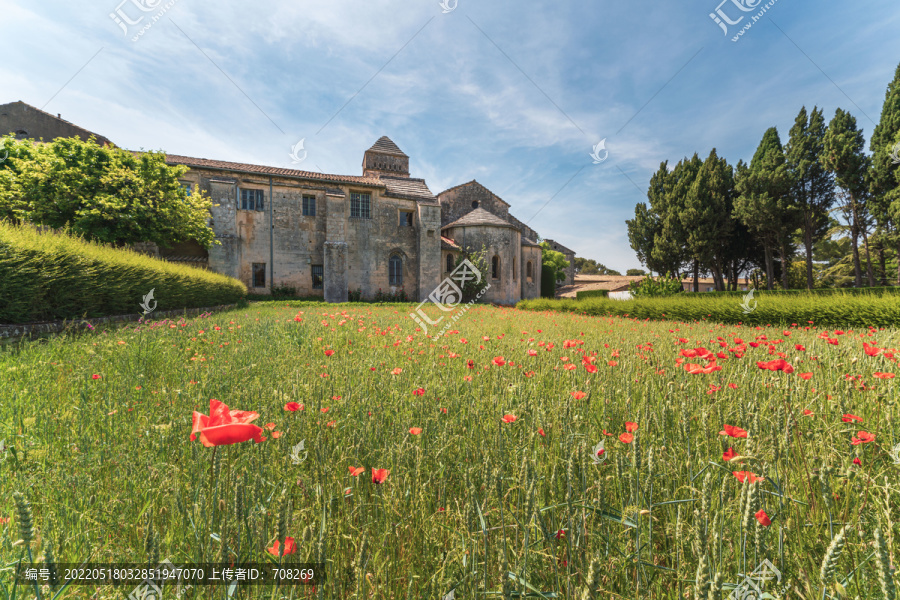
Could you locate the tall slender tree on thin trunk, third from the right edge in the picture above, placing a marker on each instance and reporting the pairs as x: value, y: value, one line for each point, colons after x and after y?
x: 812, y: 186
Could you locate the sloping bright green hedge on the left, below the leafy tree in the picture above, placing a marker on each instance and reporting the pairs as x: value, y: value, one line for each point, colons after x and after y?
x: 54, y: 276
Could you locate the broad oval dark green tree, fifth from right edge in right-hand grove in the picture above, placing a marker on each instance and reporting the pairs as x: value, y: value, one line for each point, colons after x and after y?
x: 707, y: 216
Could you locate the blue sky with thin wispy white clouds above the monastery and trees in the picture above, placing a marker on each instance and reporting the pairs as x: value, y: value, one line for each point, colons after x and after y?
x: 513, y: 94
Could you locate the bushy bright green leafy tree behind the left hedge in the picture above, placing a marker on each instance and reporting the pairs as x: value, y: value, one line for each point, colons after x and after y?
x: 105, y: 194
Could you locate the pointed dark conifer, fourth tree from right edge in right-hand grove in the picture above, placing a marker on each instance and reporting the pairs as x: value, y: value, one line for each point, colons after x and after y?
x: 763, y: 204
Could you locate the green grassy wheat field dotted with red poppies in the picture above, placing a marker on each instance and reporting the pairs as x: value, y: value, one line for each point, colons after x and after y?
x: 495, y: 484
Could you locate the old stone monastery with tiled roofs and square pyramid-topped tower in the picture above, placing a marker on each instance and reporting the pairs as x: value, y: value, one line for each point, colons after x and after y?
x: 331, y: 235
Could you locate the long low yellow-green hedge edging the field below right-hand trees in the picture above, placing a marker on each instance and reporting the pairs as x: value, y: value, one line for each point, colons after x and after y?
x: 836, y: 310
